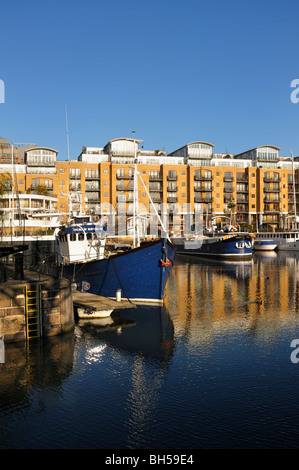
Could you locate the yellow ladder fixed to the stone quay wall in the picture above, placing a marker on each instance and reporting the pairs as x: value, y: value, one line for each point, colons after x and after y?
x: 33, y: 323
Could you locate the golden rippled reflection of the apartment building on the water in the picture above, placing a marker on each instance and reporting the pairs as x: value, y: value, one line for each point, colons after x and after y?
x: 258, y: 296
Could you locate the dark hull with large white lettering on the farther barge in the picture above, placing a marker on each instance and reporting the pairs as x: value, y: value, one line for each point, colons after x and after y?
x: 237, y: 247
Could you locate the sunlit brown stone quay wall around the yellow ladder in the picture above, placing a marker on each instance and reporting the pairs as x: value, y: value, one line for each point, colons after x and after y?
x: 56, y: 308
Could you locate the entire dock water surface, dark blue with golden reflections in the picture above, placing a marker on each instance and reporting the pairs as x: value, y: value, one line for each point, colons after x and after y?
x: 211, y: 369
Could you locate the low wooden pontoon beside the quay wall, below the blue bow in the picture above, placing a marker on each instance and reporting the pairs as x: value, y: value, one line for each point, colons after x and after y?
x: 97, y: 302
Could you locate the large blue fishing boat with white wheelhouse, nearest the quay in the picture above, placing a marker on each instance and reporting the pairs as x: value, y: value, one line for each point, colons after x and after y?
x: 140, y: 273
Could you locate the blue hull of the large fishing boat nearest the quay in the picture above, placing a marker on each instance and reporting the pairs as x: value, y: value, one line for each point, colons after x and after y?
x: 138, y: 273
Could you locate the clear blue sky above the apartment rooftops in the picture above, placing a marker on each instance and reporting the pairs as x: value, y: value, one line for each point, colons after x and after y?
x: 175, y: 71
